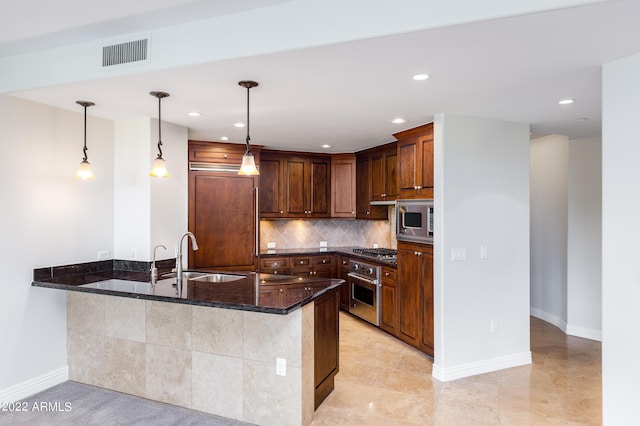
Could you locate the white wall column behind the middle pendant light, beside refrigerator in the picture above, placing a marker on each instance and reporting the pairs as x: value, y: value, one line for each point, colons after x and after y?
x: 149, y: 211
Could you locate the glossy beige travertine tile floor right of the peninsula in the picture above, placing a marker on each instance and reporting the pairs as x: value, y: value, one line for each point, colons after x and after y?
x: 385, y: 382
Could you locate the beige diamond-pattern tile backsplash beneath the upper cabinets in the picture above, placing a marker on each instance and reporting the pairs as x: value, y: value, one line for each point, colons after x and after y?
x: 307, y: 233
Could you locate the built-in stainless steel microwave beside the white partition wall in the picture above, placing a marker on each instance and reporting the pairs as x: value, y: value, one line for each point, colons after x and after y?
x: 414, y: 220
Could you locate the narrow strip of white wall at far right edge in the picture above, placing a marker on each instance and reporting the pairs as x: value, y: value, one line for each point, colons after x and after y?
x: 620, y: 236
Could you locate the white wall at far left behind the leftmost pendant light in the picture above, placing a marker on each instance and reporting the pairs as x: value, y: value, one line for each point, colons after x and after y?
x: 47, y: 217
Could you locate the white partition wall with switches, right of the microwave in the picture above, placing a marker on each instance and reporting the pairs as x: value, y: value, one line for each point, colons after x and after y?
x: 482, y: 198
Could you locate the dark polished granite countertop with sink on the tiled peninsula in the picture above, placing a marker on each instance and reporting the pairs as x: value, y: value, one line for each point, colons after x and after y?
x: 248, y: 293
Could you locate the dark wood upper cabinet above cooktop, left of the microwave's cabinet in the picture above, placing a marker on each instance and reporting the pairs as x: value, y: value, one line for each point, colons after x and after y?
x: 384, y: 179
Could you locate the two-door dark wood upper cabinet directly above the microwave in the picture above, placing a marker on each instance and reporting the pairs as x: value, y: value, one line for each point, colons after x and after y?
x: 415, y: 162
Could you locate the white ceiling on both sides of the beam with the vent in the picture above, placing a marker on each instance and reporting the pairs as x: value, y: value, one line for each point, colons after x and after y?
x: 345, y: 94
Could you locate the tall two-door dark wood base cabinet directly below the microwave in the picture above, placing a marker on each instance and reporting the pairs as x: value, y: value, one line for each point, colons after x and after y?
x: 415, y: 296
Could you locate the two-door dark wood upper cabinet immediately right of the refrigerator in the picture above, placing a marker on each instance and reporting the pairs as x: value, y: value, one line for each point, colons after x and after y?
x: 294, y: 186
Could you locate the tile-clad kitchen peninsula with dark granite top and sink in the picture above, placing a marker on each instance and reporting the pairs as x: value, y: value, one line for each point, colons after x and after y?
x: 221, y: 347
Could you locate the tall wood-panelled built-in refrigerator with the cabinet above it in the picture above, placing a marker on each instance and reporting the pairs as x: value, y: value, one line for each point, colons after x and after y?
x: 222, y: 210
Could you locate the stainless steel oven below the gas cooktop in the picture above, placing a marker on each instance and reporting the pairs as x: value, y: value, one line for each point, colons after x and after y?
x: 364, y: 282
